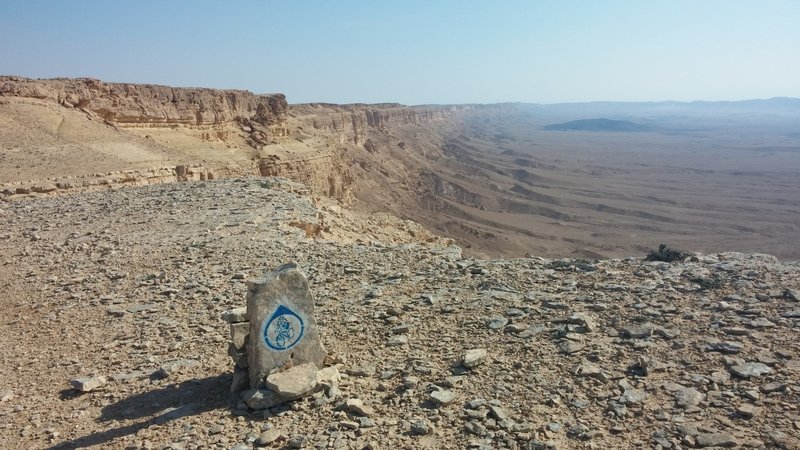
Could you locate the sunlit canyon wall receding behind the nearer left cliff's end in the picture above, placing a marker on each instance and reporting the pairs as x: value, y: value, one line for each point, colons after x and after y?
x: 343, y: 142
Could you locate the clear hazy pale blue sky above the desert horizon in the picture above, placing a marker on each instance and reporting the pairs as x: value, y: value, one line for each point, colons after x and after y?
x: 416, y: 52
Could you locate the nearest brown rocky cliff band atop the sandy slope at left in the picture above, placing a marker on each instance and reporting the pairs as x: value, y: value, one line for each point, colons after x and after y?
x: 129, y: 105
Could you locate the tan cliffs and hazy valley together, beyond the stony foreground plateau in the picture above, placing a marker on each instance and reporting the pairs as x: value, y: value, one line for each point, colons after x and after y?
x: 500, y: 179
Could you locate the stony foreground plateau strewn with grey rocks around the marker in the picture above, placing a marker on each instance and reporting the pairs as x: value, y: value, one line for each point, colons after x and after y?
x: 444, y: 351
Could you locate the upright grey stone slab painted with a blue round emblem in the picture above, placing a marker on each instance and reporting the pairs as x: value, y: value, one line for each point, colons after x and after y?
x: 283, y: 331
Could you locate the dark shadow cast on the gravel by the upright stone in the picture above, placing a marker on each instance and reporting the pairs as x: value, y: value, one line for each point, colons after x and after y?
x: 159, y: 406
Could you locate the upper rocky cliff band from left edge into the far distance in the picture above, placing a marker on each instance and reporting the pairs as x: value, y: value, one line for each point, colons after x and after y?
x: 263, y: 118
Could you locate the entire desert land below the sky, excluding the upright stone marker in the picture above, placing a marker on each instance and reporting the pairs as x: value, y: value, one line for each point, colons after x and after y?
x: 479, y: 271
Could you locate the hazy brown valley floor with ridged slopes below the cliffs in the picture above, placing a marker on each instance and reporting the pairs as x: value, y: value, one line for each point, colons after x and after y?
x: 703, y: 186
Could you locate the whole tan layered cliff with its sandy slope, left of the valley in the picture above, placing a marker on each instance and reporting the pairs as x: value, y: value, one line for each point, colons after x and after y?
x: 330, y: 148
